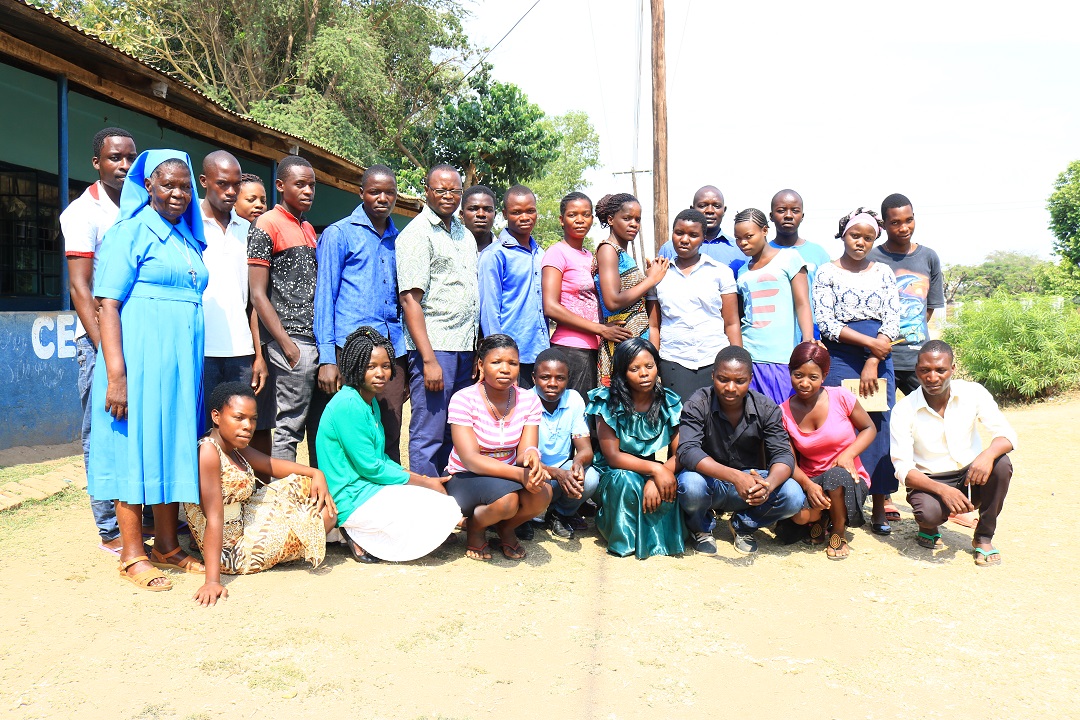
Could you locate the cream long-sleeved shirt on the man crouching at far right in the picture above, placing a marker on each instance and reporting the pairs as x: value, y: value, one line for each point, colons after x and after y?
x: 923, y: 440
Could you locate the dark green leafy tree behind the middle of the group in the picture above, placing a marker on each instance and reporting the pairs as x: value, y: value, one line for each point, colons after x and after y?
x: 494, y: 134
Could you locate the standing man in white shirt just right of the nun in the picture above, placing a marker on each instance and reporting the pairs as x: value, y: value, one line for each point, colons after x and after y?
x: 233, y: 352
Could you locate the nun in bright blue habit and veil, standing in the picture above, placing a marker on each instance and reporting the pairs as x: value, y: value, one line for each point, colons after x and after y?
x: 147, y: 393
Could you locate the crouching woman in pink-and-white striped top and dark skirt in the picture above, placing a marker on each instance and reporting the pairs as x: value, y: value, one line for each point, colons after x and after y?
x: 496, y: 474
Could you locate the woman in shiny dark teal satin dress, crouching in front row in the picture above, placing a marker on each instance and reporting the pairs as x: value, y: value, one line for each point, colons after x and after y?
x: 636, y: 419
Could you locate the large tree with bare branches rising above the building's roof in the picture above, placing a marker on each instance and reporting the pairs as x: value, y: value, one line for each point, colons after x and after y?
x: 358, y: 78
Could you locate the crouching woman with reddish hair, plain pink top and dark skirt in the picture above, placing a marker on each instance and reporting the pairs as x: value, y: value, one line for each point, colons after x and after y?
x: 829, y: 429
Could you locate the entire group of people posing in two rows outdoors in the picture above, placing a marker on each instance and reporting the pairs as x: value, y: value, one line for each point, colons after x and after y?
x: 726, y: 376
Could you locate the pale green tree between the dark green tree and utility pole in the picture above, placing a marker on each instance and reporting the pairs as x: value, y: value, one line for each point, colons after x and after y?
x: 578, y: 153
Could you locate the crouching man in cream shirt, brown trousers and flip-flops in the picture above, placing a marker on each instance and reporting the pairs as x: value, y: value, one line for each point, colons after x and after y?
x: 939, y: 456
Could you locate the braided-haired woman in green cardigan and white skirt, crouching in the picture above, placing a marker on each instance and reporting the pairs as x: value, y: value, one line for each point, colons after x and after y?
x: 385, y: 512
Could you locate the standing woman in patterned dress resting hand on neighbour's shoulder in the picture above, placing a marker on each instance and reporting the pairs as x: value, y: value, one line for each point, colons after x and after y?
x: 627, y: 296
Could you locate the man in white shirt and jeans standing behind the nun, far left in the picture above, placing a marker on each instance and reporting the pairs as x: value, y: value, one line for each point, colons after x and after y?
x: 84, y: 224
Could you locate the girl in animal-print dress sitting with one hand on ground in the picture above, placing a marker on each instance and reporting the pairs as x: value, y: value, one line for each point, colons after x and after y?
x: 240, y: 527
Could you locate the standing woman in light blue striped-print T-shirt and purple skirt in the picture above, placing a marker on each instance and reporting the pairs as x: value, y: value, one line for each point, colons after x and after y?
x: 776, y: 298
